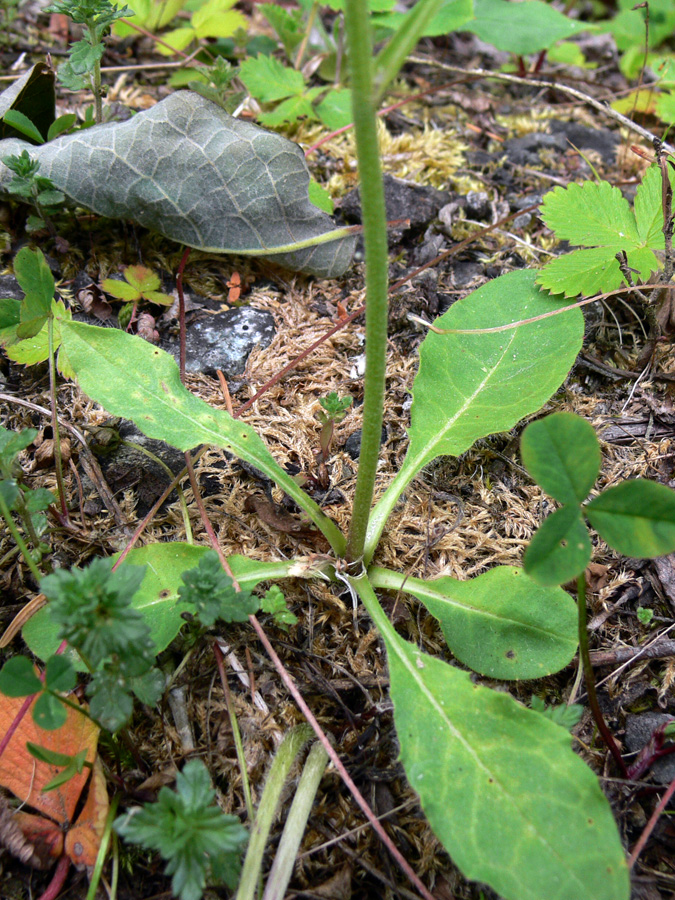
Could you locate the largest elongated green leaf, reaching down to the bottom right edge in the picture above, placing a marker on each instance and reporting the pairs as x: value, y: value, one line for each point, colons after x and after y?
x: 499, y: 783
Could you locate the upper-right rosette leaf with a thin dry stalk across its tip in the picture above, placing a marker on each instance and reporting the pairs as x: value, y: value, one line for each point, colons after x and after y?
x: 471, y: 385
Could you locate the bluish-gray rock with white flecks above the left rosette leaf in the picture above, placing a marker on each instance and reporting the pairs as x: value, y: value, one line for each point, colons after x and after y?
x: 225, y: 341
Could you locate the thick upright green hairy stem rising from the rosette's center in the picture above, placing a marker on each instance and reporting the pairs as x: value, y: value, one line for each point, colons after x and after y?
x: 357, y: 27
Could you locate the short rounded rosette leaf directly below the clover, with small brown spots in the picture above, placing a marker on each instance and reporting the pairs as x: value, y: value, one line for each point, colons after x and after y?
x: 500, y: 624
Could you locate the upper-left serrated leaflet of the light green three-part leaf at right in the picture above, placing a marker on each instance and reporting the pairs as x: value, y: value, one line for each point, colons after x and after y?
x: 591, y: 215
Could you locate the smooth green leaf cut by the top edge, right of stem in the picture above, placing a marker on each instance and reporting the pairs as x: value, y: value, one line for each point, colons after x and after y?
x: 521, y: 28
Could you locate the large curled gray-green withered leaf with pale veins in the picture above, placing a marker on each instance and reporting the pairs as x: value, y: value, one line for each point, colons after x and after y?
x: 187, y: 169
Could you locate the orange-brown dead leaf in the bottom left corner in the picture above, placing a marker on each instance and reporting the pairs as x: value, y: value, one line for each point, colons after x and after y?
x: 56, y: 828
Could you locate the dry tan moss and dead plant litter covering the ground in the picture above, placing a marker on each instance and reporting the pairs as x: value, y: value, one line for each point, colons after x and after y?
x: 460, y: 517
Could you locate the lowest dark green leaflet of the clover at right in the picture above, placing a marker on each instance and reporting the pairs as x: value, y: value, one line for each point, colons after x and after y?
x: 560, y: 549
